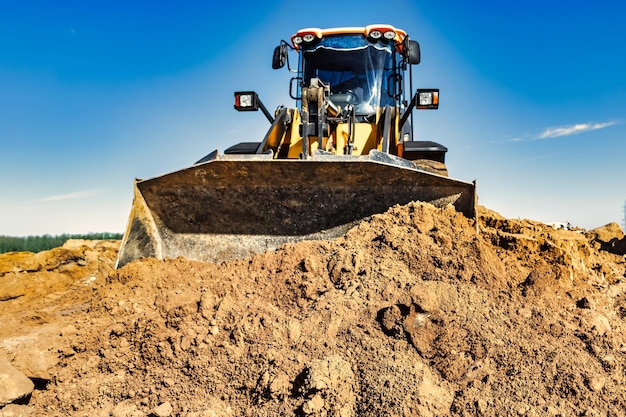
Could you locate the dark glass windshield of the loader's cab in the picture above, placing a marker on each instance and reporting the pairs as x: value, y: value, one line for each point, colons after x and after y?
x: 357, y: 70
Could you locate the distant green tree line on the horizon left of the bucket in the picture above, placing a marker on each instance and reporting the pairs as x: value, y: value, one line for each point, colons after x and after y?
x: 47, y: 242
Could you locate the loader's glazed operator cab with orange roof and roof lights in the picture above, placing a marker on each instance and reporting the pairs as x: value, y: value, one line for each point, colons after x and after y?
x: 363, y: 66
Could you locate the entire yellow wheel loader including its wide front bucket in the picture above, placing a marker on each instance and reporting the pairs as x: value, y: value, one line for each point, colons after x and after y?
x: 343, y: 153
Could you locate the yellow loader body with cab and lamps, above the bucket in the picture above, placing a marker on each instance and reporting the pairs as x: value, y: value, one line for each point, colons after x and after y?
x: 349, y: 92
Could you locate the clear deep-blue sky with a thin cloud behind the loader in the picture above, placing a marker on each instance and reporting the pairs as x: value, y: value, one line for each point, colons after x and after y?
x: 95, y: 94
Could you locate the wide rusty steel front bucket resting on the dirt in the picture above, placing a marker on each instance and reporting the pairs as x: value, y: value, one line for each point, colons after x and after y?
x: 237, y: 205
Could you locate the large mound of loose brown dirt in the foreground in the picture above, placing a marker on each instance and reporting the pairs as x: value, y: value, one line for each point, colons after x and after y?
x: 415, y: 312
